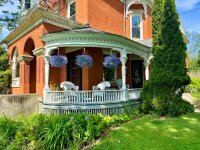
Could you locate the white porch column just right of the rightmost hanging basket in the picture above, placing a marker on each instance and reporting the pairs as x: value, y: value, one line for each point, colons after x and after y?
x: 123, y: 59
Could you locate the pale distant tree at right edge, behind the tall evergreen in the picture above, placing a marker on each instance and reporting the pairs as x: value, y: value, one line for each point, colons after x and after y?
x: 193, y: 51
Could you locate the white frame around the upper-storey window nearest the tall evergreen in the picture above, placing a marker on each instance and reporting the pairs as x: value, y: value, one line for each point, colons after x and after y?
x: 141, y: 26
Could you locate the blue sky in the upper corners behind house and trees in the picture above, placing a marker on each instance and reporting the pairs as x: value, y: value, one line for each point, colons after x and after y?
x: 188, y: 9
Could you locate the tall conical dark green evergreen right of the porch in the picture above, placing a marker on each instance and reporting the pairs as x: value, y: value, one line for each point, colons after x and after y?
x: 169, y: 73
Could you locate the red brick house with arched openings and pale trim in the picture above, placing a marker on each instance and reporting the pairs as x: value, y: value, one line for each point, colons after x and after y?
x: 94, y: 27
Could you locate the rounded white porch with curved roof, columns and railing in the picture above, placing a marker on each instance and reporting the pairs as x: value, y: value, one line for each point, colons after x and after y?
x: 110, y: 101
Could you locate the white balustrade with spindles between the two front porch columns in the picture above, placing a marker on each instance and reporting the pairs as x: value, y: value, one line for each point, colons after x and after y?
x: 107, y: 96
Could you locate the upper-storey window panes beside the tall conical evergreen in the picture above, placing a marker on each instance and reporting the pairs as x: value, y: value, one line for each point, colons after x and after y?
x: 136, y: 27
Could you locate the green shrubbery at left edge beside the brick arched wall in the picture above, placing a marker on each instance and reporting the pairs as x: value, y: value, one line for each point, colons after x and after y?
x: 4, y: 71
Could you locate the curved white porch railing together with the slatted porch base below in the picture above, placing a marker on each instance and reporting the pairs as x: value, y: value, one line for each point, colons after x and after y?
x: 106, y: 102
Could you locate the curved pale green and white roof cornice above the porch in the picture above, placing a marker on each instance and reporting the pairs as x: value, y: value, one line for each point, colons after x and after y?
x: 88, y: 37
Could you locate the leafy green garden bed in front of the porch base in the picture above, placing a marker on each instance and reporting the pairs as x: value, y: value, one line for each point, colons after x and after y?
x: 67, y: 131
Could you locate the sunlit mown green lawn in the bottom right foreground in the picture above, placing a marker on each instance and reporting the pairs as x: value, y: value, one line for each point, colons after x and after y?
x: 153, y: 133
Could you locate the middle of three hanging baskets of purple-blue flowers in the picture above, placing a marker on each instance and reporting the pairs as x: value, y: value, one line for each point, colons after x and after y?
x: 84, y: 60
